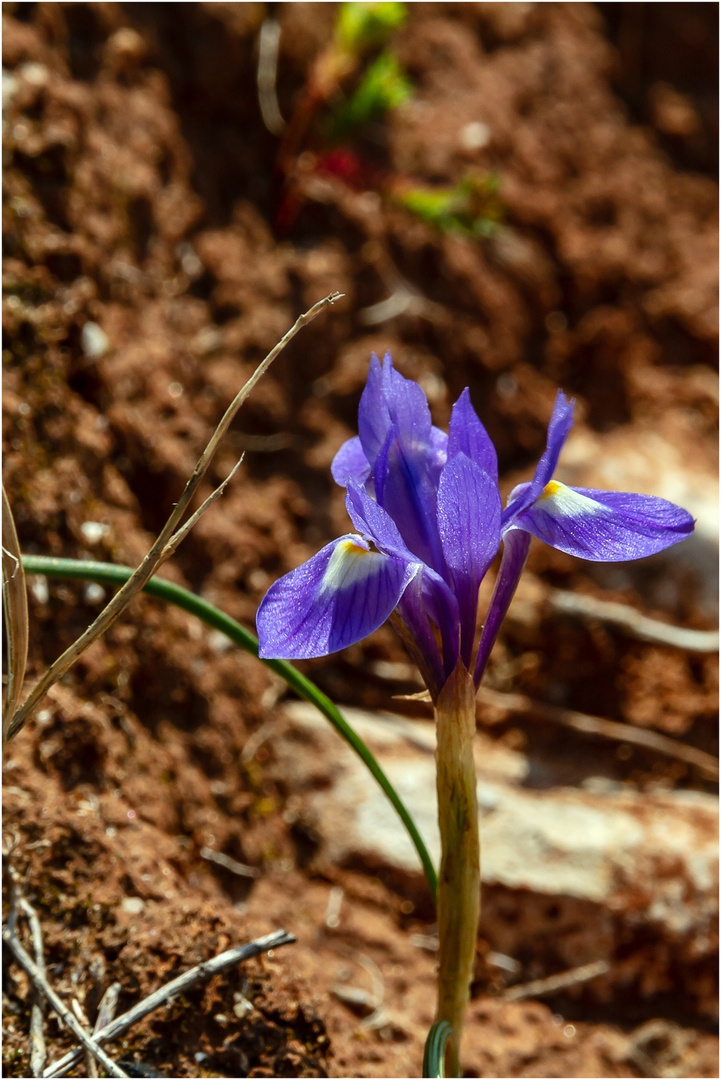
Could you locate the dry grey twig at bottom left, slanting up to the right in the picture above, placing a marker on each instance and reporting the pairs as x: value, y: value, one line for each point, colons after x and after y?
x: 180, y: 985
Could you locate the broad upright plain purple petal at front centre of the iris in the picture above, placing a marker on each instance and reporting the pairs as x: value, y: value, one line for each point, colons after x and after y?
x: 470, y: 528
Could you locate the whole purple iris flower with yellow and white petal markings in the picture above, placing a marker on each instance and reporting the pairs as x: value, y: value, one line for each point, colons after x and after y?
x: 428, y: 512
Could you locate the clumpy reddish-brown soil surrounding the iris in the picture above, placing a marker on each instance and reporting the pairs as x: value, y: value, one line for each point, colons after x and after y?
x: 154, y: 252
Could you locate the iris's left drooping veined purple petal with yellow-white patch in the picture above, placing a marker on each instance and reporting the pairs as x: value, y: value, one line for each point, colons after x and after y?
x: 338, y: 598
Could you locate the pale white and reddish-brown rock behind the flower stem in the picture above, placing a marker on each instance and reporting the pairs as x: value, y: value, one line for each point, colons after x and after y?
x: 569, y: 875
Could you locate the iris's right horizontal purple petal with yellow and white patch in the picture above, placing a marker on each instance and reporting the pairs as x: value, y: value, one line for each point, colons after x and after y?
x: 605, y: 526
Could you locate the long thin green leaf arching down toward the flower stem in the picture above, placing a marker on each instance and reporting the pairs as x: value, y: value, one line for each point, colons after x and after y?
x: 110, y: 574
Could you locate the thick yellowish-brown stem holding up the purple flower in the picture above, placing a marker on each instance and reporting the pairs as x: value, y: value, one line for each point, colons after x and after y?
x: 459, y: 883
